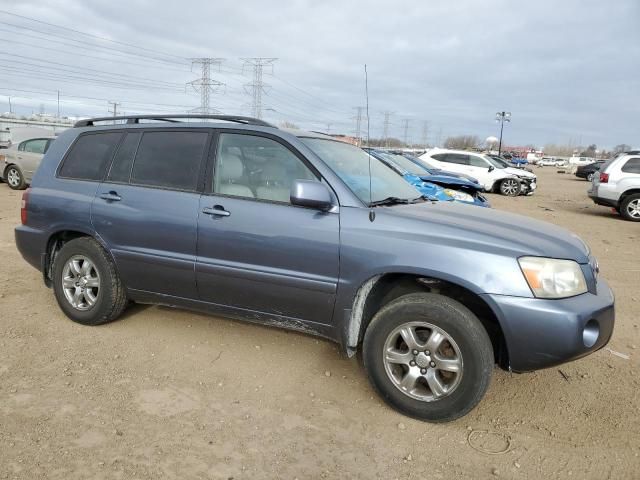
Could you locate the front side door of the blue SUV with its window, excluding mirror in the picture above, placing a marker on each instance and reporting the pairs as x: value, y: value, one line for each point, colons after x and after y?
x: 257, y: 253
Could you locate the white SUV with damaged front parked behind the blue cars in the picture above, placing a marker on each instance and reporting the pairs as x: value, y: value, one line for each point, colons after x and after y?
x: 494, y: 174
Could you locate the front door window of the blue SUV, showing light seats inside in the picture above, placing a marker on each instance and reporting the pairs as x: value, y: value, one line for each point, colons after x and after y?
x: 256, y: 167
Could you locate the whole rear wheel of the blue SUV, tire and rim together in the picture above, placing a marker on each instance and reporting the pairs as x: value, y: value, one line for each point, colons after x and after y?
x: 86, y: 283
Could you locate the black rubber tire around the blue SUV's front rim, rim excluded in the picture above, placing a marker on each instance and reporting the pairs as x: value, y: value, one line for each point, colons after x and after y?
x: 459, y: 324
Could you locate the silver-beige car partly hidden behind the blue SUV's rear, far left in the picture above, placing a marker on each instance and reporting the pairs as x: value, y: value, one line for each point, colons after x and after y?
x: 22, y: 160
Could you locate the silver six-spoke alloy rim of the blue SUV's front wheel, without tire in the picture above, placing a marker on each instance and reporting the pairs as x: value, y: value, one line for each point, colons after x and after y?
x: 423, y: 361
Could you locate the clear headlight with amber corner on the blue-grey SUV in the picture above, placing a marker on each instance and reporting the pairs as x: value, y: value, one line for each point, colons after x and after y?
x: 553, y: 278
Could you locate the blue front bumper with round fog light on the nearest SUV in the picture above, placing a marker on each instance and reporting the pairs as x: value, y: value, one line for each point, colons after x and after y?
x: 541, y: 333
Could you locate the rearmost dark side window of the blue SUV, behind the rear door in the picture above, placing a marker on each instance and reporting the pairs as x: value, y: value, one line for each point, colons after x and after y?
x: 90, y: 155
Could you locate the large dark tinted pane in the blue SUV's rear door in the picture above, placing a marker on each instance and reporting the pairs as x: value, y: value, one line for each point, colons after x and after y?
x: 169, y: 159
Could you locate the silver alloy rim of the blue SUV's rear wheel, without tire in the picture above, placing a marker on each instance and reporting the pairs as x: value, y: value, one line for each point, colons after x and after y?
x: 80, y: 282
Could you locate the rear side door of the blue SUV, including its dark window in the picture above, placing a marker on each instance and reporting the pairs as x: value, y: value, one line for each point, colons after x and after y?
x: 146, y: 209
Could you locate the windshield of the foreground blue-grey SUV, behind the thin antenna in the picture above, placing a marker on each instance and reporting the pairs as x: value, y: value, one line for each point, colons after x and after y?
x: 351, y: 164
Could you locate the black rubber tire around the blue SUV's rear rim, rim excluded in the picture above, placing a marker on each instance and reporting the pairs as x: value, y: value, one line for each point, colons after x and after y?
x: 111, y: 297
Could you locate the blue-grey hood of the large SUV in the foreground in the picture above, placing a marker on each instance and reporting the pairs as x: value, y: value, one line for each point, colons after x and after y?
x: 486, y: 229
